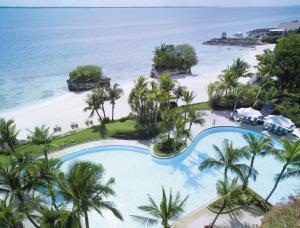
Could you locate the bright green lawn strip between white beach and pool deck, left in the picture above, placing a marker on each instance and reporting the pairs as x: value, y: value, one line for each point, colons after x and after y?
x: 74, y: 138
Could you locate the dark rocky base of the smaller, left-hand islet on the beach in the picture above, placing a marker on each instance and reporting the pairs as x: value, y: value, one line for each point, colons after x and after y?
x: 75, y: 85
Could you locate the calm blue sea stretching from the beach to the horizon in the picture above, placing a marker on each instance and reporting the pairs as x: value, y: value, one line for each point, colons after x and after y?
x: 38, y: 47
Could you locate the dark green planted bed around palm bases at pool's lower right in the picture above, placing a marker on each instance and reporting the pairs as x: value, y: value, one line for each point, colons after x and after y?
x: 249, y: 198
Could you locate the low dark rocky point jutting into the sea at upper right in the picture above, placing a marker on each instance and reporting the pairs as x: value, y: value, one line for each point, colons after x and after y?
x: 244, y: 42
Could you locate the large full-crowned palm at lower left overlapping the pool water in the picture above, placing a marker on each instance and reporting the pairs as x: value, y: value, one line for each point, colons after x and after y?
x: 83, y: 186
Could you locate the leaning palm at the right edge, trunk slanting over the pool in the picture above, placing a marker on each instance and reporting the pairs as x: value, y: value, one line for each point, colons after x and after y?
x: 289, y: 155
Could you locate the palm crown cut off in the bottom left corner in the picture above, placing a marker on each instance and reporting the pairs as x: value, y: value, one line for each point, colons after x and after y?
x: 11, y: 215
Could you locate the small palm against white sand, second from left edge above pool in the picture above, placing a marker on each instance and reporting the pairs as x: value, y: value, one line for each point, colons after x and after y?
x: 42, y: 136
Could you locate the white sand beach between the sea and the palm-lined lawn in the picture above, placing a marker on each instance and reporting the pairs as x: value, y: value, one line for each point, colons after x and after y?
x: 68, y: 108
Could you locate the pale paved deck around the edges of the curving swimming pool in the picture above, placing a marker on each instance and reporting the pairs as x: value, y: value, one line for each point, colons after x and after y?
x: 200, y: 216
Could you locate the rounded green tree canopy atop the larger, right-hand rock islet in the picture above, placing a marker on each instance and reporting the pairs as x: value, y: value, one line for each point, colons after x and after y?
x: 168, y: 56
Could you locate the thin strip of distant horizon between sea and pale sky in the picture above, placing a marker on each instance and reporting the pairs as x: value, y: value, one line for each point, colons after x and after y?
x: 150, y: 6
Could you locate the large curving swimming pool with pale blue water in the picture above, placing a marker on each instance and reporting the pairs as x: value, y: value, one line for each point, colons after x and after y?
x: 137, y: 173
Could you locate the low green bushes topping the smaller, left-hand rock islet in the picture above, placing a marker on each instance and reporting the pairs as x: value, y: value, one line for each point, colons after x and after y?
x: 87, y: 73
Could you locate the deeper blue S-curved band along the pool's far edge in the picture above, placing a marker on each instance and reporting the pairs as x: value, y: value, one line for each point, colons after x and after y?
x: 166, y: 160
